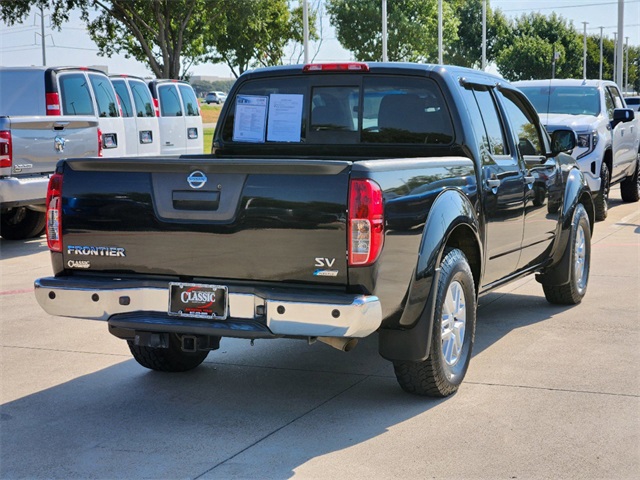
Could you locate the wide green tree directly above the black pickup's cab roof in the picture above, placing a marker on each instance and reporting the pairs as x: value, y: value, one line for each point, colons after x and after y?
x: 412, y: 27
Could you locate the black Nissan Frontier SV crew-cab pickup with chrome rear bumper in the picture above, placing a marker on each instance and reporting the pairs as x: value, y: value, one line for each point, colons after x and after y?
x: 339, y: 200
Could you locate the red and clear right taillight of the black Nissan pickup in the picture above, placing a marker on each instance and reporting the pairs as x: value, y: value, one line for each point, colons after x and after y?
x: 366, y: 222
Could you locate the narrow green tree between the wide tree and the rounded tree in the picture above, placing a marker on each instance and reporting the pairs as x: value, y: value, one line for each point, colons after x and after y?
x: 467, y: 49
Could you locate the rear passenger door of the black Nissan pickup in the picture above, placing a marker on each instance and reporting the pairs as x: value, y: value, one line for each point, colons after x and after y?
x: 502, y: 186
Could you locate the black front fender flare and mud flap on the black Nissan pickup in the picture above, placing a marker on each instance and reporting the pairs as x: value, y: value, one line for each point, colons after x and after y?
x: 576, y: 191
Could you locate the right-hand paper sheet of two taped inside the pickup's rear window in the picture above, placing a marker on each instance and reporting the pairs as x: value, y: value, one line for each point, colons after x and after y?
x: 285, y: 117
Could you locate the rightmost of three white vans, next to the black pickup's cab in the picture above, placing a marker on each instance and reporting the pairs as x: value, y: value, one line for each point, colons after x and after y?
x: 179, y: 116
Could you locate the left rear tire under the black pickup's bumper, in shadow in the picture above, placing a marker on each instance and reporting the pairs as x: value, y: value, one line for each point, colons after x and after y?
x: 171, y: 359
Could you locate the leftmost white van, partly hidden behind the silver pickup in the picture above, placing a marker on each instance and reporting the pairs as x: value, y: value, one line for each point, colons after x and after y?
x: 72, y: 91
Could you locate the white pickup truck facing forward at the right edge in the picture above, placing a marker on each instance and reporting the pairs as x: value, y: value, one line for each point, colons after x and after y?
x: 608, y: 150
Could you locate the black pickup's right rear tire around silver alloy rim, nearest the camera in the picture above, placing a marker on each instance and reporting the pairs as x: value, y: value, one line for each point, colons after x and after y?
x: 442, y: 372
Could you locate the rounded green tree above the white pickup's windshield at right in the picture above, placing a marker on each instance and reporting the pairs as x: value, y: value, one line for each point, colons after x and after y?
x: 526, y: 51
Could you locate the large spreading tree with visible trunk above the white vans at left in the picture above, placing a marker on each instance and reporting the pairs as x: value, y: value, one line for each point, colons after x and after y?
x: 166, y: 35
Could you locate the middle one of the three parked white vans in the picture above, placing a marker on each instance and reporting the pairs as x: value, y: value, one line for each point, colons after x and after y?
x: 141, y: 126
